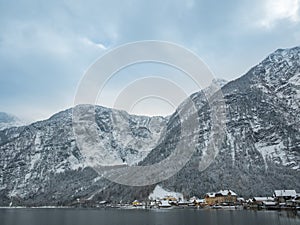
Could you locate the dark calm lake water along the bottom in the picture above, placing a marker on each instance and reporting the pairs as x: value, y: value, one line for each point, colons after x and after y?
x: 145, y: 217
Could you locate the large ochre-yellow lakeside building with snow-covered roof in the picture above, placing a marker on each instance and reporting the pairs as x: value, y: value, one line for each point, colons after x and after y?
x: 220, y: 197
